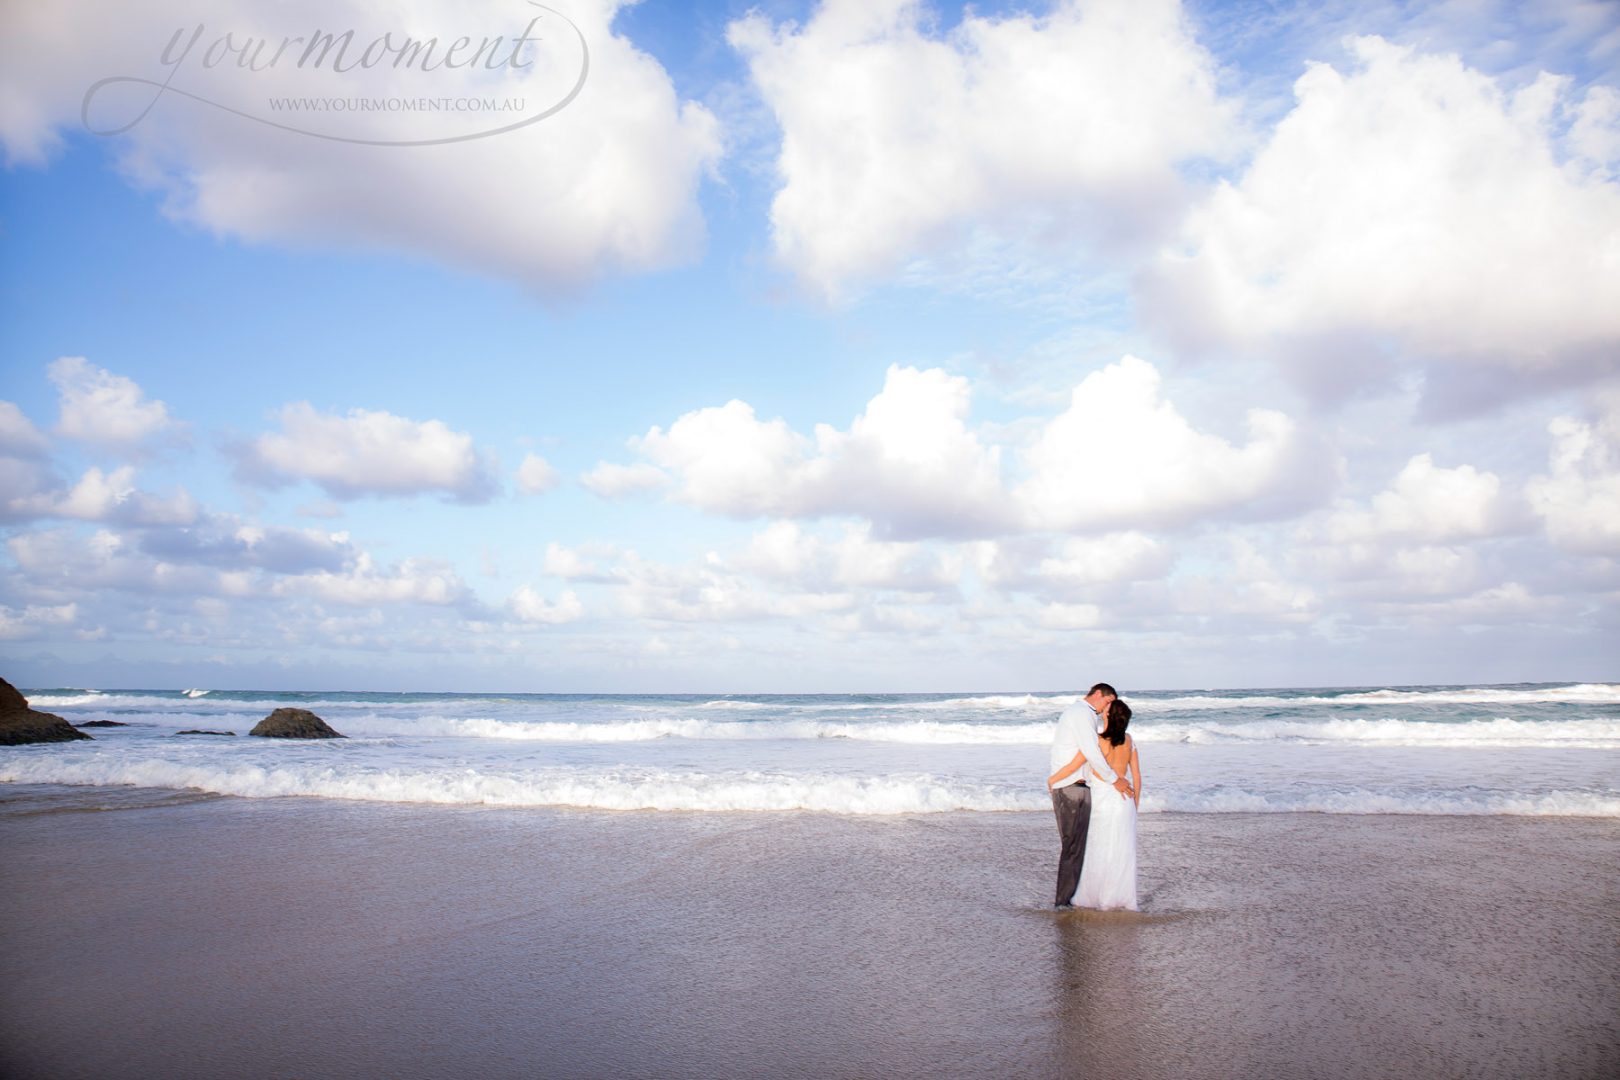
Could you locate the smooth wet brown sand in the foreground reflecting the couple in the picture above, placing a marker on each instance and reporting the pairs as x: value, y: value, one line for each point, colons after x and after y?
x: 301, y: 938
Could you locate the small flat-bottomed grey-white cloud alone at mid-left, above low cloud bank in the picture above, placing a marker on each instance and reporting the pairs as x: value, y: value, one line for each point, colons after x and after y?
x: 369, y: 454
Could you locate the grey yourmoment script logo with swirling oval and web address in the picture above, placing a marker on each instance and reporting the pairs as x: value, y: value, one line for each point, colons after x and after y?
x: 362, y: 87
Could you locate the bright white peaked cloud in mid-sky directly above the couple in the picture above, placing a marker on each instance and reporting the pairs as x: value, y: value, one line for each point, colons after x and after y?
x: 1123, y: 457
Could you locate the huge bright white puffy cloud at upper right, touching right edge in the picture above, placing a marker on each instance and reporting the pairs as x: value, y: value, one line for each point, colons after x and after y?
x: 1420, y: 203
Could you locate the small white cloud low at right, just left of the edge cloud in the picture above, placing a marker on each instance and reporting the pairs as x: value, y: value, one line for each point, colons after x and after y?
x: 1430, y: 504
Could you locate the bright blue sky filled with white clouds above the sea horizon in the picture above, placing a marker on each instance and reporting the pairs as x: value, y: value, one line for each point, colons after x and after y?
x: 811, y: 347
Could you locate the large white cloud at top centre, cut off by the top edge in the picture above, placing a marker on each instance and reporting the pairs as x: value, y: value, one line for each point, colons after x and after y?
x: 898, y: 143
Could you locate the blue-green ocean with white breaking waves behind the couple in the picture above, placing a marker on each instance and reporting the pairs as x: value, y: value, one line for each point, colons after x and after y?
x: 1522, y: 750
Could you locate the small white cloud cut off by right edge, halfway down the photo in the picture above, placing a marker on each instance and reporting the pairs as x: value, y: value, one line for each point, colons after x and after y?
x: 1579, y: 498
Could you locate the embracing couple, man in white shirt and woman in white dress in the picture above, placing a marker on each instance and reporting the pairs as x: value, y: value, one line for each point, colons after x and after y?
x: 1096, y: 804
